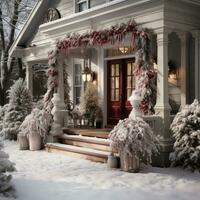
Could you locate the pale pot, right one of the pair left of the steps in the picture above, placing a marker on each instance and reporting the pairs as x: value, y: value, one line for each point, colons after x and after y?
x: 35, y: 142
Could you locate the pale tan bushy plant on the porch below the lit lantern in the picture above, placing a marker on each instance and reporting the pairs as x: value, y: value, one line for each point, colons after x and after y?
x: 89, y: 101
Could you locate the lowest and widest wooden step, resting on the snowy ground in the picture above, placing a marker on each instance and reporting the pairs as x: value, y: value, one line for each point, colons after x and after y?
x: 81, y: 152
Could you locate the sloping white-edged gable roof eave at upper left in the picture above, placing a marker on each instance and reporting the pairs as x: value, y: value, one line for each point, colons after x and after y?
x: 31, y: 25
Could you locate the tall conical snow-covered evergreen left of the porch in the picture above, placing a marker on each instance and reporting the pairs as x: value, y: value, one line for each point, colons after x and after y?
x: 20, y: 105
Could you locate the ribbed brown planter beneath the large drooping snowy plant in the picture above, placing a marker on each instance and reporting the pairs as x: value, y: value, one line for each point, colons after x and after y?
x: 129, y: 163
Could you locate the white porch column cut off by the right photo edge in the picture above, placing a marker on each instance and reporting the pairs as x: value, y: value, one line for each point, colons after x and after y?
x: 196, y: 35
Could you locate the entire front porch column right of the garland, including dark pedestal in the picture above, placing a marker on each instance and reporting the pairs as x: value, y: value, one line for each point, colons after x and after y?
x: 162, y: 107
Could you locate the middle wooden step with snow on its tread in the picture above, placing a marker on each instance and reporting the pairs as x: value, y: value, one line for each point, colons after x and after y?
x: 84, y: 141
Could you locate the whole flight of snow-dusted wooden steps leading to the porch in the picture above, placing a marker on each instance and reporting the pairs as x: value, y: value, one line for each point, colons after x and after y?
x: 90, y: 144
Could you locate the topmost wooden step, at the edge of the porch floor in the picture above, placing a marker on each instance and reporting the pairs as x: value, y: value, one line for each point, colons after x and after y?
x: 99, y: 133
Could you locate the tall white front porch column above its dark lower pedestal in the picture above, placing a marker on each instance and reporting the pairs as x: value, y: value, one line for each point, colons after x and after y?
x: 162, y: 106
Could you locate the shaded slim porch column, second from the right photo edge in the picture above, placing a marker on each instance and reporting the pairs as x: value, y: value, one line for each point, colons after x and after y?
x: 183, y: 75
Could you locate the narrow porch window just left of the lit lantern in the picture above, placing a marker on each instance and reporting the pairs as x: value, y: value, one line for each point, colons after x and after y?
x: 77, y: 82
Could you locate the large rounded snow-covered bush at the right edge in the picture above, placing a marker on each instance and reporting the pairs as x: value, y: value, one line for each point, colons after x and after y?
x: 186, y: 131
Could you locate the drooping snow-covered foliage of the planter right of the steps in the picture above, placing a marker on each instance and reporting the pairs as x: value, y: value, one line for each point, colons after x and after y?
x: 134, y: 137
